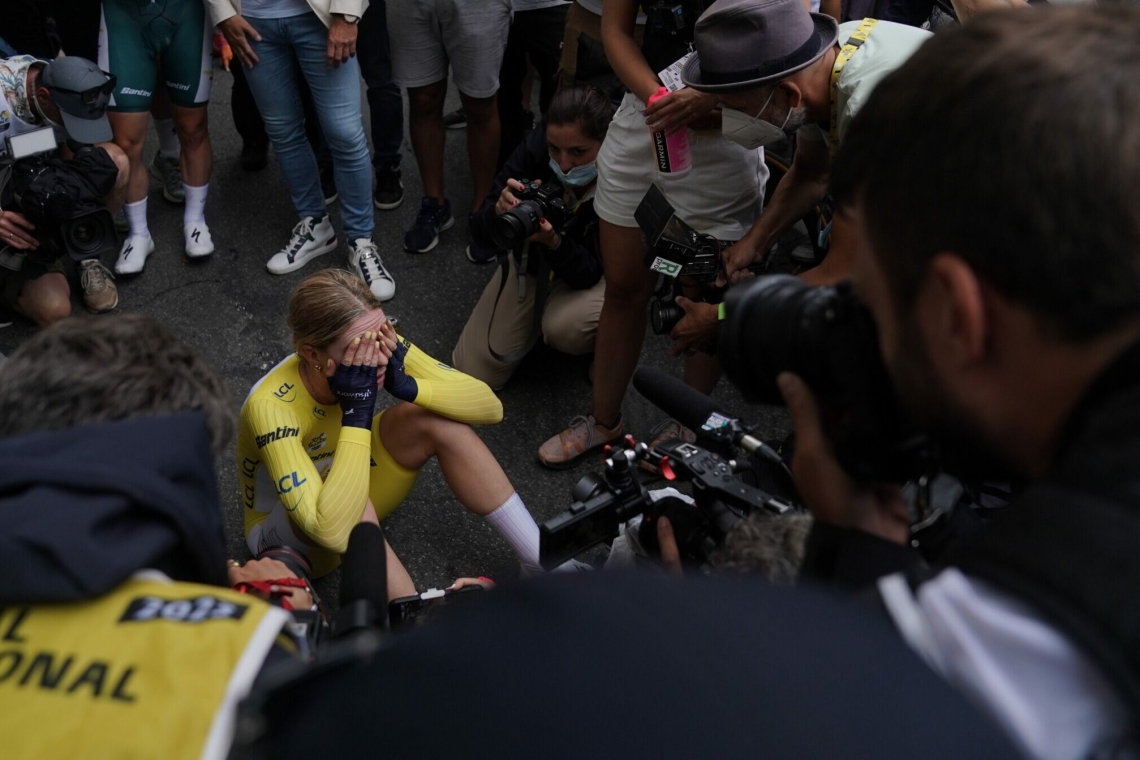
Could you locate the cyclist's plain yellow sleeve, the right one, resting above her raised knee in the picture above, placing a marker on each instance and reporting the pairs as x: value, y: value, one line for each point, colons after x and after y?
x: 451, y: 394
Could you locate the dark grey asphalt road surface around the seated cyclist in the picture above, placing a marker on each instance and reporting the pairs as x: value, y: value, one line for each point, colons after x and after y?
x: 233, y: 310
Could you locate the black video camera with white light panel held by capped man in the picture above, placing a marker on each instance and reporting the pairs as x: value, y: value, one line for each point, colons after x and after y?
x: 70, y: 219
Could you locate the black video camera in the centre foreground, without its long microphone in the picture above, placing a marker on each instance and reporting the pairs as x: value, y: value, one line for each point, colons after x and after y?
x: 604, y: 503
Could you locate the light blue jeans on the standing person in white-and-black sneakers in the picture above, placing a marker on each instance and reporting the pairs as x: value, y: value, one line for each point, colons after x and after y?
x: 337, y: 101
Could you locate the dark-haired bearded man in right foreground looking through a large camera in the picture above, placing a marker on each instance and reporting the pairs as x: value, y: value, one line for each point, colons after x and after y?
x: 1011, y: 330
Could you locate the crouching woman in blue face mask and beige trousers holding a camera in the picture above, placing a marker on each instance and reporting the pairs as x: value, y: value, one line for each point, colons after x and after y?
x: 563, y: 292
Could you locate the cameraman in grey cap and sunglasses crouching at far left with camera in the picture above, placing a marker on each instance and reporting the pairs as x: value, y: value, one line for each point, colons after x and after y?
x: 55, y: 202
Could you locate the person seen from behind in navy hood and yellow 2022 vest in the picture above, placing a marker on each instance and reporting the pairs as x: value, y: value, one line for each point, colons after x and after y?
x: 117, y: 618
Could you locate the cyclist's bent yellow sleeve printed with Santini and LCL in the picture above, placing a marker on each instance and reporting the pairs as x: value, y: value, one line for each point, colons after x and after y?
x: 325, y: 511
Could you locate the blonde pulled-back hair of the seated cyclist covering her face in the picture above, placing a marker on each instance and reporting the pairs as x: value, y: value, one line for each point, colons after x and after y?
x: 325, y: 305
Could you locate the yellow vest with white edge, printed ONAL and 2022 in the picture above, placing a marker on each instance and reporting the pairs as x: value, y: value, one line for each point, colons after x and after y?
x: 153, y: 669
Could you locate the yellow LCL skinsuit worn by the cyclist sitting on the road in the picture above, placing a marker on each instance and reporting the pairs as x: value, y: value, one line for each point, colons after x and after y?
x: 306, y: 480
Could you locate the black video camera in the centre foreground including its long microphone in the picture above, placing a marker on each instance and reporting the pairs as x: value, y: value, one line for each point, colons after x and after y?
x: 605, y: 503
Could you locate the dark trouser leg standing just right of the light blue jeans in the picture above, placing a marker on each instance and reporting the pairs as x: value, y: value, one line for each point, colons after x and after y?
x: 385, y: 101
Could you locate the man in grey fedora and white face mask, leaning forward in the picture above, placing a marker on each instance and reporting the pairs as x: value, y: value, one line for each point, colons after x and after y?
x: 779, y: 69
